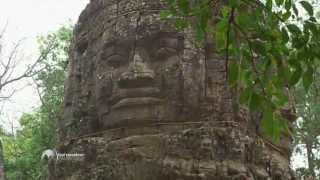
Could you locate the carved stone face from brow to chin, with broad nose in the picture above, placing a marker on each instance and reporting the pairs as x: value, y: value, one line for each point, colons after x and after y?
x: 147, y: 80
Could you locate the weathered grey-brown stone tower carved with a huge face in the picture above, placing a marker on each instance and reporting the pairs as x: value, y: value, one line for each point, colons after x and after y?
x: 143, y: 101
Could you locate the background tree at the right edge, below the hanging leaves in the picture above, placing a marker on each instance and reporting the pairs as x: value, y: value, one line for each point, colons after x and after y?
x: 307, y: 136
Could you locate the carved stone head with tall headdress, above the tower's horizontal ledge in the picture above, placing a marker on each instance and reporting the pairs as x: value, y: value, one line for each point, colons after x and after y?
x: 129, y: 68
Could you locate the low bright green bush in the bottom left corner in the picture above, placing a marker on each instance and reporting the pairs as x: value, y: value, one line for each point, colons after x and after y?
x: 23, y: 151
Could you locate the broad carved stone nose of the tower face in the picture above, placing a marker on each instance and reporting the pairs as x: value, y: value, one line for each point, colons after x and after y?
x: 137, y: 75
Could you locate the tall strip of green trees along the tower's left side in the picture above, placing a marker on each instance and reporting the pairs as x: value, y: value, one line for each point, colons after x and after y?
x: 38, y: 130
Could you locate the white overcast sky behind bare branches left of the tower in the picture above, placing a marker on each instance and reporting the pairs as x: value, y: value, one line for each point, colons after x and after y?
x: 27, y: 19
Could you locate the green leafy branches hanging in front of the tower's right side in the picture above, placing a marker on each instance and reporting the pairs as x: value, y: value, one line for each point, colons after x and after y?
x: 270, y: 47
